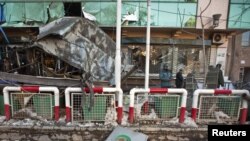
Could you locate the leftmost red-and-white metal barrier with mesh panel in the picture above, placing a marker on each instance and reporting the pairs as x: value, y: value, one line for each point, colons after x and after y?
x: 19, y: 102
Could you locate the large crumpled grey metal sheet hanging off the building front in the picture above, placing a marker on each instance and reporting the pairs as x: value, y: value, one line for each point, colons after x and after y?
x: 83, y: 45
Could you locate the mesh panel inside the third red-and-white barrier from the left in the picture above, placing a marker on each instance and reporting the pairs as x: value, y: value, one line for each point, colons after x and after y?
x: 159, y: 107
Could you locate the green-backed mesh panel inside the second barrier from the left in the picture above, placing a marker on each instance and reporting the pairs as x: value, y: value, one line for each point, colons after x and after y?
x: 103, y: 106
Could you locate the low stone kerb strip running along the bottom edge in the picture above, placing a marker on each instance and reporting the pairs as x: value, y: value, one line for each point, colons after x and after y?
x: 50, y: 133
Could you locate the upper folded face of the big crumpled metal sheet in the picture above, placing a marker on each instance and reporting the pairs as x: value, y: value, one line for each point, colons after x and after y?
x: 79, y: 27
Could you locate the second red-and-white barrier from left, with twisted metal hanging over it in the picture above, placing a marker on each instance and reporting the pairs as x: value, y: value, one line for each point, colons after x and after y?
x: 104, y: 98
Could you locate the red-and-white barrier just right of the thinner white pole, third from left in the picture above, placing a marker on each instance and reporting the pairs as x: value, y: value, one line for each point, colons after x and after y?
x: 159, y: 93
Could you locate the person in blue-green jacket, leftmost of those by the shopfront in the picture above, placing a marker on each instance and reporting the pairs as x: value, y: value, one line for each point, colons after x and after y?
x: 165, y: 77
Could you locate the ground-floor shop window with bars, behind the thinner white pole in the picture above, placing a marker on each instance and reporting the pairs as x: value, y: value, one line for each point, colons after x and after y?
x: 190, y: 59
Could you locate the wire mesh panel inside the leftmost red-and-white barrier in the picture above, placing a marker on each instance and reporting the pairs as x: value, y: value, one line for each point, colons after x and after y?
x: 32, y: 105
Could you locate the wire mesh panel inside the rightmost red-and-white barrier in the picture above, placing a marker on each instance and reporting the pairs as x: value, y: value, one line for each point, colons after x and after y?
x: 219, y: 108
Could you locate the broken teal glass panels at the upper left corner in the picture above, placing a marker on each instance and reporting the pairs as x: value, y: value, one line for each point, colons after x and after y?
x: 32, y: 14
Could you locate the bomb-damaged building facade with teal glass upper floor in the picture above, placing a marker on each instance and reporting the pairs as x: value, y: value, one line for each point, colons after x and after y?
x: 46, y: 38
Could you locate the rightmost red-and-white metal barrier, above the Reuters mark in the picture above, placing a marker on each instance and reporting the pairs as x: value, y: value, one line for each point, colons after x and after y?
x: 210, y: 105
